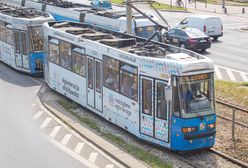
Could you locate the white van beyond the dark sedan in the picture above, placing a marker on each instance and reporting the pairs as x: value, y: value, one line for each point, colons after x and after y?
x: 210, y: 25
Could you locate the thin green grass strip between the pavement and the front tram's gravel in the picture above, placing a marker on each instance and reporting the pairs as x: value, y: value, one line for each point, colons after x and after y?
x: 138, y: 152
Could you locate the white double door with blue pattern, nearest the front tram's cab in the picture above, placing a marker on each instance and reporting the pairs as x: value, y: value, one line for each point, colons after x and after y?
x: 153, y: 110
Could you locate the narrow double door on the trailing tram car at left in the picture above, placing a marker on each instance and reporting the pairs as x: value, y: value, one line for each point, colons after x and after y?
x: 21, y: 52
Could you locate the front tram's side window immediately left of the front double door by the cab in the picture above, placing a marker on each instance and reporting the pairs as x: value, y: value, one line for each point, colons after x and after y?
x: 128, y: 81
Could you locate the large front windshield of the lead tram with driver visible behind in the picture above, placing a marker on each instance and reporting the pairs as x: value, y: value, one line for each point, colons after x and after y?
x: 195, y: 95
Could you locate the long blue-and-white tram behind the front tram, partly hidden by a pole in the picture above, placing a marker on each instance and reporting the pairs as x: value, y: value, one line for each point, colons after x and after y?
x: 115, y: 20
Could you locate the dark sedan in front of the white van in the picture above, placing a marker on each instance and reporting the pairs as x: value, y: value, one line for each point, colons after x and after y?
x: 189, y: 38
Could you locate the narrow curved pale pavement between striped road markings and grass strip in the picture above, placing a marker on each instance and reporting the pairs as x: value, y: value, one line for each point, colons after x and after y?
x: 48, y: 100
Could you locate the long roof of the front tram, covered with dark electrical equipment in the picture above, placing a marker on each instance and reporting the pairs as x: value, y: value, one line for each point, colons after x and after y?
x: 125, y: 42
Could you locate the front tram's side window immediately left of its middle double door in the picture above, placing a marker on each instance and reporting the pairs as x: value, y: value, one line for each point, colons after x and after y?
x: 79, y: 63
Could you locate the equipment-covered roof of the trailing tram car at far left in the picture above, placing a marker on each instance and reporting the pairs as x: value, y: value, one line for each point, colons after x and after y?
x: 21, y: 12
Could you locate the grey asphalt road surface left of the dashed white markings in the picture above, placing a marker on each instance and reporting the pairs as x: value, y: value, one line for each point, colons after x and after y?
x: 23, y: 144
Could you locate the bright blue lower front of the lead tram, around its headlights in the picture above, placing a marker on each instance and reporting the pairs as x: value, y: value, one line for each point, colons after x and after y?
x: 202, y: 138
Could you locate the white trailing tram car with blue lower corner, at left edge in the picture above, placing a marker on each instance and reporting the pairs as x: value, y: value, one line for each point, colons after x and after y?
x: 21, y: 38
